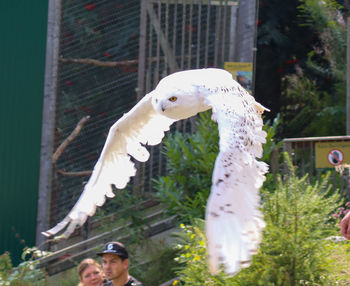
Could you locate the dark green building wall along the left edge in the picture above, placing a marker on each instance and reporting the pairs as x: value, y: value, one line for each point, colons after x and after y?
x: 22, y: 61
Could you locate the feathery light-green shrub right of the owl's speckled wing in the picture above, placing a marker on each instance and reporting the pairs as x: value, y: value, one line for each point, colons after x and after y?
x: 294, y: 250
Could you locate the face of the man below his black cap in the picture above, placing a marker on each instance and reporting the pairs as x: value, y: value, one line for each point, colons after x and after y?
x: 114, y: 266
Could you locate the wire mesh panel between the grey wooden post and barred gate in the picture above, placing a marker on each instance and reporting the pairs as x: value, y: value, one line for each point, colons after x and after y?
x: 92, y: 35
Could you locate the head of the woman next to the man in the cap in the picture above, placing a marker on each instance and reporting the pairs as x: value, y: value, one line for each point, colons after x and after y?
x: 90, y: 273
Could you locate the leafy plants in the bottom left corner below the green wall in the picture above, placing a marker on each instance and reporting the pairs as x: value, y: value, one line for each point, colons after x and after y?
x: 26, y: 273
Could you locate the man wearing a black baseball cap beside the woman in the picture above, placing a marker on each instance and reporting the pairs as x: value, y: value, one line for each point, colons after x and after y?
x: 115, y: 263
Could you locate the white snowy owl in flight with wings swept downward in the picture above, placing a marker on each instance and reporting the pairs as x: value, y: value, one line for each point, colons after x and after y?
x: 234, y: 223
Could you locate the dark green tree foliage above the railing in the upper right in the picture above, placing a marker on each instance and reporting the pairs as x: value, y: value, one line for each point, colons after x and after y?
x: 317, y: 93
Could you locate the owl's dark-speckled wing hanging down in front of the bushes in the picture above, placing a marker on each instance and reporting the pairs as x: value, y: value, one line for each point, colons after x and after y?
x: 233, y: 221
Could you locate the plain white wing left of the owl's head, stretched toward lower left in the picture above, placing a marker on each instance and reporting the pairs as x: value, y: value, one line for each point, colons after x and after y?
x: 141, y: 125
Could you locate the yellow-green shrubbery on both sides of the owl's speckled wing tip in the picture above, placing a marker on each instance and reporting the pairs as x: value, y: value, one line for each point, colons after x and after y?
x: 294, y: 250
